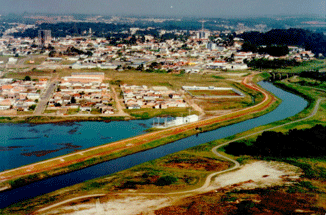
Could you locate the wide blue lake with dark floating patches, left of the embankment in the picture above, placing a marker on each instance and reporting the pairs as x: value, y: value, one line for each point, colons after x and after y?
x: 22, y: 144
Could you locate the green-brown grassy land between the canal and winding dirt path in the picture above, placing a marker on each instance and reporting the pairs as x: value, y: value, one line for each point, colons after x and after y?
x: 152, y: 176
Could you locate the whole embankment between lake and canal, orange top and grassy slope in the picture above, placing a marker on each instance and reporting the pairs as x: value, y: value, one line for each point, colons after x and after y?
x: 82, y: 159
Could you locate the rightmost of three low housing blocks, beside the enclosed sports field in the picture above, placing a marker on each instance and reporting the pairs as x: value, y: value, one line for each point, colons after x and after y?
x: 137, y: 97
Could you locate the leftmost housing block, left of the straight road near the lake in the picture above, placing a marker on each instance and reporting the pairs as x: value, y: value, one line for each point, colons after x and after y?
x: 20, y: 95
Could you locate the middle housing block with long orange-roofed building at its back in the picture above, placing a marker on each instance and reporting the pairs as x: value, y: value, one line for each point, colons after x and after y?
x: 83, y: 92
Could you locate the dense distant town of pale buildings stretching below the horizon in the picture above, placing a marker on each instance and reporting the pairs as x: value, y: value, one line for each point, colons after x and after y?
x: 201, y: 50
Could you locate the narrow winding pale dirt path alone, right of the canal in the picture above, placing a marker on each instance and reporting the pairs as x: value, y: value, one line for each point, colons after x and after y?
x: 208, y: 178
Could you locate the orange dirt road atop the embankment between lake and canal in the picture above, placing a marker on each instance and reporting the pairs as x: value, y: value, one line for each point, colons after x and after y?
x: 139, y: 140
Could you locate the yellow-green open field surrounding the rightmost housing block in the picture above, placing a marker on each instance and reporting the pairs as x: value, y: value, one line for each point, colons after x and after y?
x: 171, y: 81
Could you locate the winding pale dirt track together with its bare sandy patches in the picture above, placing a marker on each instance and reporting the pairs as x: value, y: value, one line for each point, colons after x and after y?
x: 257, y: 174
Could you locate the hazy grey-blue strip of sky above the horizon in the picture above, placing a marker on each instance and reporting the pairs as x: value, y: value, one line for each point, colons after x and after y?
x: 198, y: 8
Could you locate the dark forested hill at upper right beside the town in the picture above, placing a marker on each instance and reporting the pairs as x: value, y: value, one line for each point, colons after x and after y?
x: 316, y: 42
